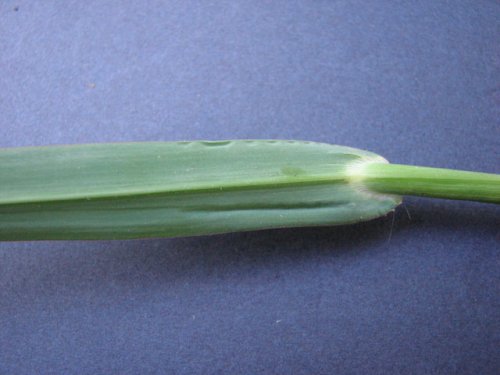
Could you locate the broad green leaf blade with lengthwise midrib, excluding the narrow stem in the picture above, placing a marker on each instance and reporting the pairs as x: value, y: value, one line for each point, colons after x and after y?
x: 120, y: 191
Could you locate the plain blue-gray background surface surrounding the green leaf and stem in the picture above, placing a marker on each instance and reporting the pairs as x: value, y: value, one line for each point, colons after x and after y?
x: 418, y: 82
